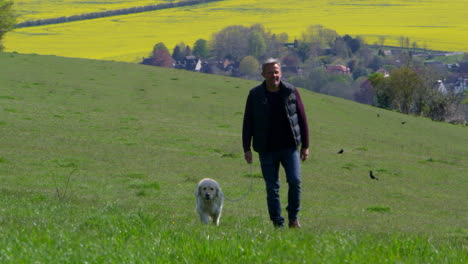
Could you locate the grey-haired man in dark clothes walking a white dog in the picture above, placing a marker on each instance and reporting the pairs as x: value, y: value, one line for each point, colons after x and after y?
x: 275, y: 125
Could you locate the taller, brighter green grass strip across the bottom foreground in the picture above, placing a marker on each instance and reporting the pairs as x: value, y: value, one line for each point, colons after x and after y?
x: 111, y: 235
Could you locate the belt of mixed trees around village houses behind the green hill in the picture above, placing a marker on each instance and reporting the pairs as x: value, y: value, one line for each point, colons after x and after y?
x: 394, y: 79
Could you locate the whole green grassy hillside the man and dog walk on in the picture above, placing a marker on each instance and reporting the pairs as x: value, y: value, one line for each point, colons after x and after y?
x: 99, y: 162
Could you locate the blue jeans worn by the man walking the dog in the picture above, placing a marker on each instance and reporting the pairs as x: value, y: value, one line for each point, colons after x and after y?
x: 270, y: 162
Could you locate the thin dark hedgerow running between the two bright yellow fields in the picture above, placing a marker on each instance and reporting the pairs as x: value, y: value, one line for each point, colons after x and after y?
x: 108, y: 13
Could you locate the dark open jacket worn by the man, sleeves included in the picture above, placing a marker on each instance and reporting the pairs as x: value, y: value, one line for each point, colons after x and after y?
x: 257, y: 112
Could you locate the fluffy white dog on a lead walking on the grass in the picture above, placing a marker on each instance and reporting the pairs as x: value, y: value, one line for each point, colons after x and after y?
x: 210, y: 200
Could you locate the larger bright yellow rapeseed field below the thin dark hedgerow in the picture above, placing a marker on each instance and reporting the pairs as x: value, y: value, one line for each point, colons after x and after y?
x: 434, y: 24
